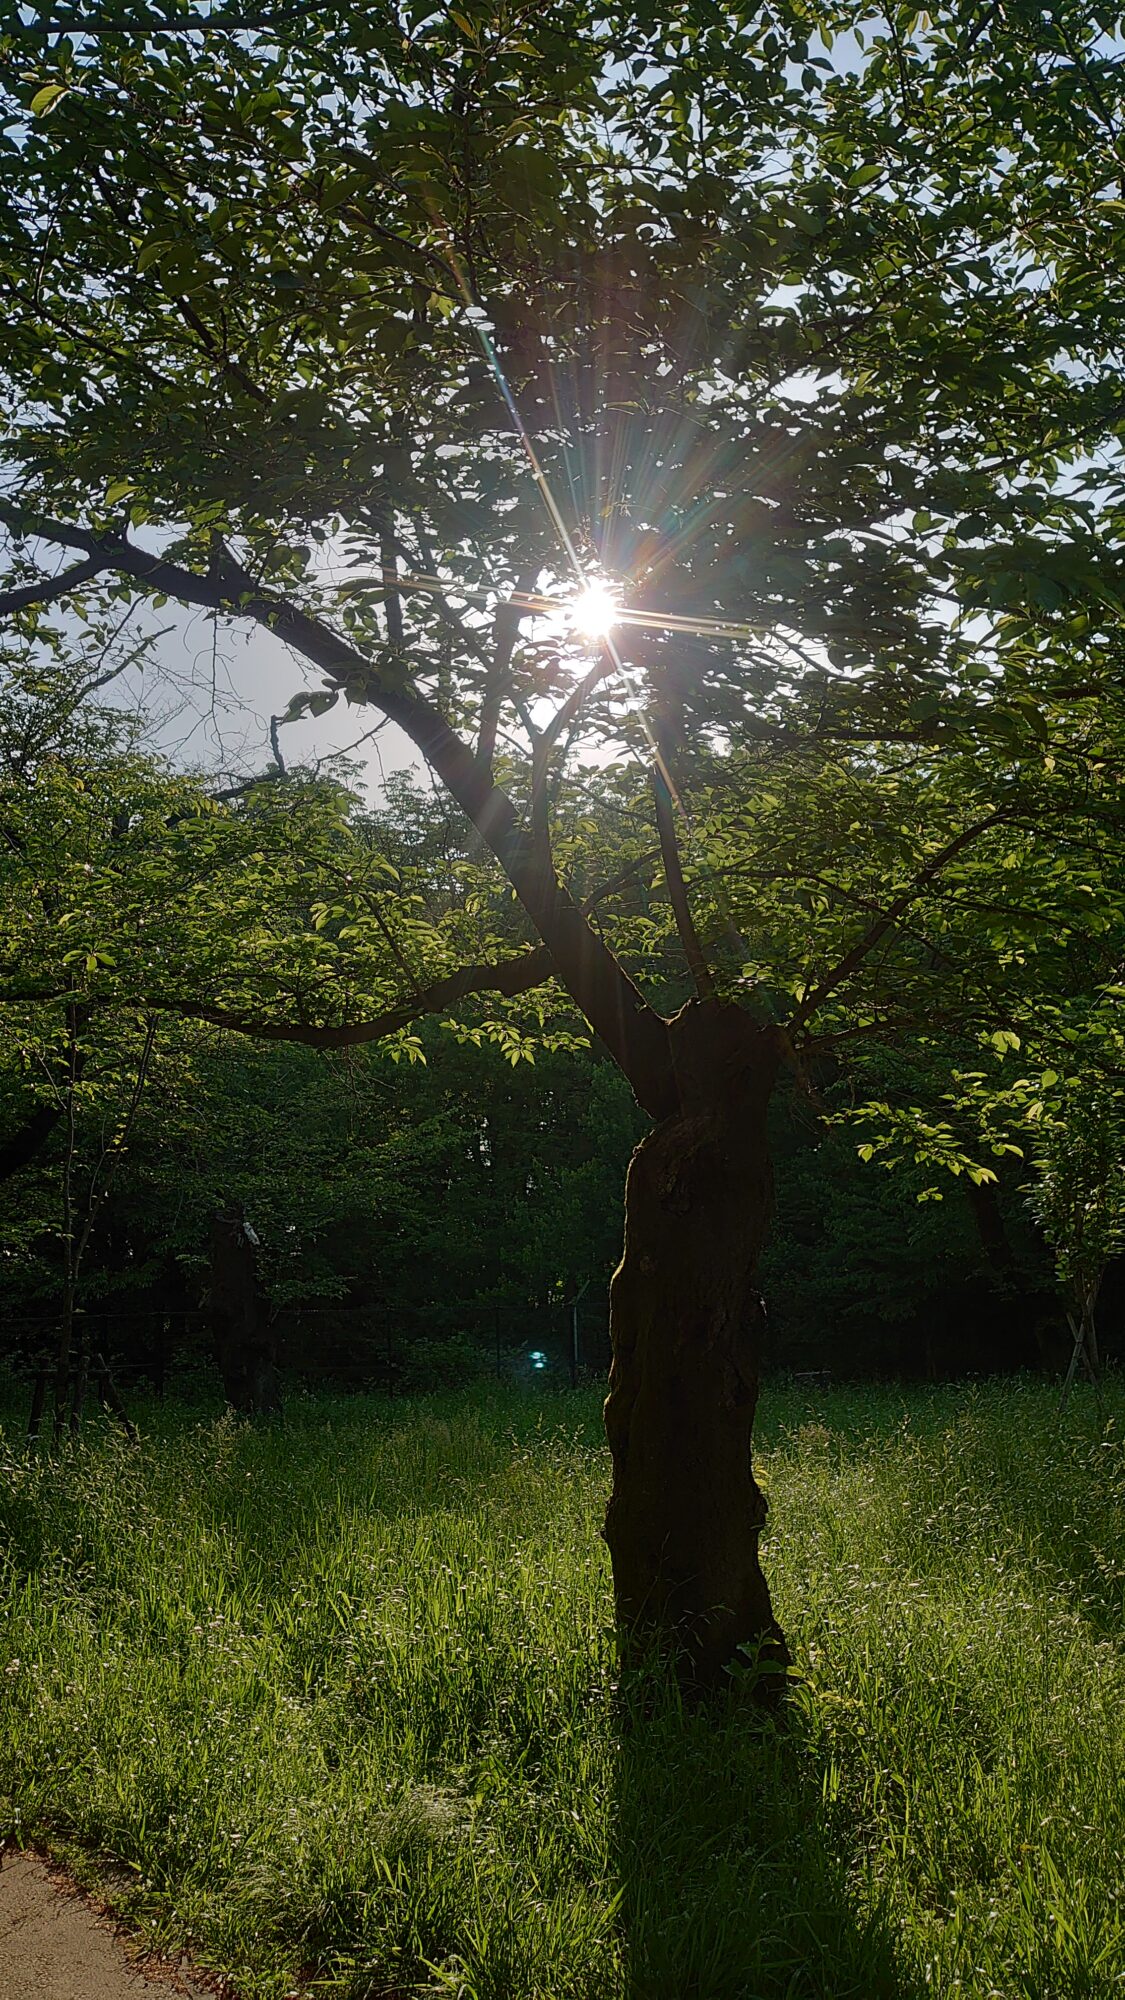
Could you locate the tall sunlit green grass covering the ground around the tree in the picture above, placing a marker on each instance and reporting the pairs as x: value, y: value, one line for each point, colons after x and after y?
x: 339, y: 1693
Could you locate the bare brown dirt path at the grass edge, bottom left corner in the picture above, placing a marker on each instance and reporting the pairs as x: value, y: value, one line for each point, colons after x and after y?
x: 57, y: 1947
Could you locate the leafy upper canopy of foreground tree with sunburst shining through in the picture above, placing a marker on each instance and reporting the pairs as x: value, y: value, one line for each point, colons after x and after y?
x: 802, y: 337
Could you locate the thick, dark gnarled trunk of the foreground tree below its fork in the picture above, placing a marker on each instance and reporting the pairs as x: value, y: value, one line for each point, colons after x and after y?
x: 688, y: 1323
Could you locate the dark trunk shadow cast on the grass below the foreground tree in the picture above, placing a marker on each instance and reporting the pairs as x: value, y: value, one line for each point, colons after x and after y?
x: 740, y: 1879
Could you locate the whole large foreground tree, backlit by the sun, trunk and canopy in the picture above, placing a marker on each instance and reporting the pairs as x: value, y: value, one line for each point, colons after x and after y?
x: 814, y: 363
